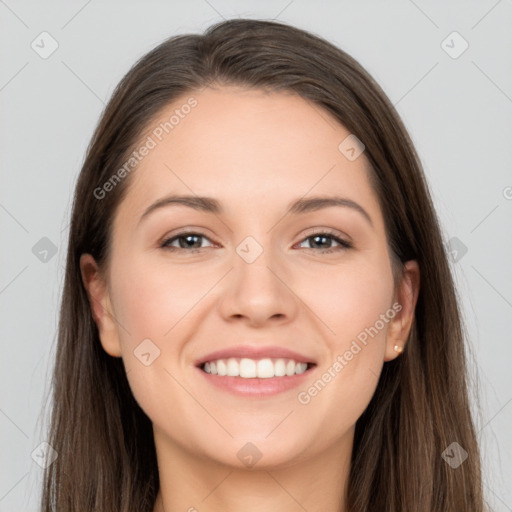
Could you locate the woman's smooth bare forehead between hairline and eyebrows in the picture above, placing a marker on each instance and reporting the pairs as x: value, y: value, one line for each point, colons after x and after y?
x: 251, y: 149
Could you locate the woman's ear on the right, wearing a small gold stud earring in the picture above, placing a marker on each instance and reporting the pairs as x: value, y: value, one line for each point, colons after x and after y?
x: 406, y: 297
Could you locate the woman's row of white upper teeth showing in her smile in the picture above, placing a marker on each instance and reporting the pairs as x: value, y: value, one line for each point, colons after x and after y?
x: 251, y: 368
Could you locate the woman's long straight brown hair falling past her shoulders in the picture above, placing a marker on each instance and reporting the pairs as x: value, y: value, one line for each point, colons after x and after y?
x: 106, y: 454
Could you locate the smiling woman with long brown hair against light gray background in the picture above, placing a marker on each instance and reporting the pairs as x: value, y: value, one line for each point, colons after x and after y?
x: 258, y: 313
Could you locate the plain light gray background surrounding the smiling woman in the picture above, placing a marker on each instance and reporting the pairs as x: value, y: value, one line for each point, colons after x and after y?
x: 458, y: 111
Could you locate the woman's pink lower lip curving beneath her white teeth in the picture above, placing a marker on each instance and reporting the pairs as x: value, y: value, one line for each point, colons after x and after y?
x: 257, y: 387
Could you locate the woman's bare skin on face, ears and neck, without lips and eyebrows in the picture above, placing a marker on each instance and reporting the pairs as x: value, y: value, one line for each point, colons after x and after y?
x: 255, y: 152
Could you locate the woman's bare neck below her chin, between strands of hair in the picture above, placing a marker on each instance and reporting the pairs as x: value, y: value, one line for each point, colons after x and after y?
x: 189, y: 483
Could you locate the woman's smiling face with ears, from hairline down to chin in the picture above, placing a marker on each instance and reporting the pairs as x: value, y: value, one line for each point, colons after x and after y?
x: 263, y: 283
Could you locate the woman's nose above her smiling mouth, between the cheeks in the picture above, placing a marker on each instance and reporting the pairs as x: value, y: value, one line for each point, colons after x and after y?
x: 259, y: 291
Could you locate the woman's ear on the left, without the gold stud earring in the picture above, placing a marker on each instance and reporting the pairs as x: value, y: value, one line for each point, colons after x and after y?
x: 101, y: 306
